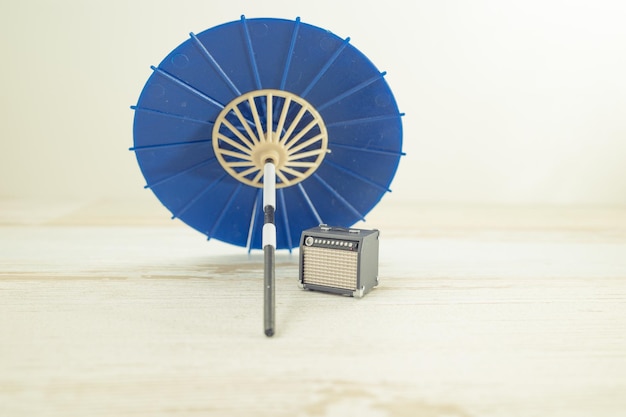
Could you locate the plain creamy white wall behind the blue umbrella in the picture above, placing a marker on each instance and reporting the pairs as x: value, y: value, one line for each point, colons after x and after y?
x: 505, y: 102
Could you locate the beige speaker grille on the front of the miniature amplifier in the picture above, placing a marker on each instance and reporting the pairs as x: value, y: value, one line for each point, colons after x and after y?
x: 330, y: 267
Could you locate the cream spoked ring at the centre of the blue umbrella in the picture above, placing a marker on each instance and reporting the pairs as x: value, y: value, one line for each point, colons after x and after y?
x: 269, y: 126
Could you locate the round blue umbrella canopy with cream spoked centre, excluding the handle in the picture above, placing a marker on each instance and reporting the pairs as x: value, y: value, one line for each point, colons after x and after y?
x: 237, y: 95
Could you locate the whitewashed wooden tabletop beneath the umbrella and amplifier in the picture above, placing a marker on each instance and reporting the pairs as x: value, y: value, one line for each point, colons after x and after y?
x: 110, y: 309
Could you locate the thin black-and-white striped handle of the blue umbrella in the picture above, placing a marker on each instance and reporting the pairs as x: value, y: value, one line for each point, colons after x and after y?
x: 269, y: 245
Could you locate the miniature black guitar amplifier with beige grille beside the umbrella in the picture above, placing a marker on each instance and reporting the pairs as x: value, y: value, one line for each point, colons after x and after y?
x: 339, y: 260
